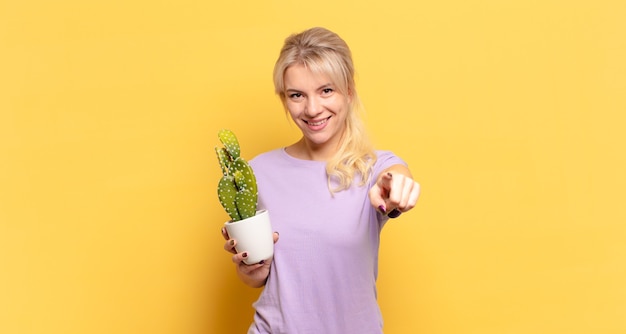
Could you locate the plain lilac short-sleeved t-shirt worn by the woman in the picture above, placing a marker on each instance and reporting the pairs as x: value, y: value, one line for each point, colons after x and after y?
x: 323, y: 276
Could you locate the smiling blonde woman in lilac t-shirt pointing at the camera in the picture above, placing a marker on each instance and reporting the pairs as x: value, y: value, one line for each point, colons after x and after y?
x: 329, y: 195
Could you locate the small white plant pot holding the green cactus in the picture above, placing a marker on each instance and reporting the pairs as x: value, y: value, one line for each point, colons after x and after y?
x: 254, y: 236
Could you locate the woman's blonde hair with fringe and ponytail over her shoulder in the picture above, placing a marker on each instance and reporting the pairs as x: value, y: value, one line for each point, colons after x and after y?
x: 323, y: 51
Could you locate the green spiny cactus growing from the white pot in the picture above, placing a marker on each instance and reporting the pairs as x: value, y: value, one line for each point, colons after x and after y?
x: 237, y: 190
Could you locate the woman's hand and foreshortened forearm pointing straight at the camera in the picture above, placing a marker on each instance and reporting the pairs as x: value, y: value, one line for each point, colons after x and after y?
x: 394, y: 189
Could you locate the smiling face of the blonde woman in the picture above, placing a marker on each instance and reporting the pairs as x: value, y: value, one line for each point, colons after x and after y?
x: 316, y: 106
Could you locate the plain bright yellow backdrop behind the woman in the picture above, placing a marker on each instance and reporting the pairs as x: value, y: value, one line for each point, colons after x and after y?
x: 510, y: 114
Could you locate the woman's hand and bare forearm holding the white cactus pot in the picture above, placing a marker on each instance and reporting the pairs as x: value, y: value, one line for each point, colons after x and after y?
x: 254, y: 275
